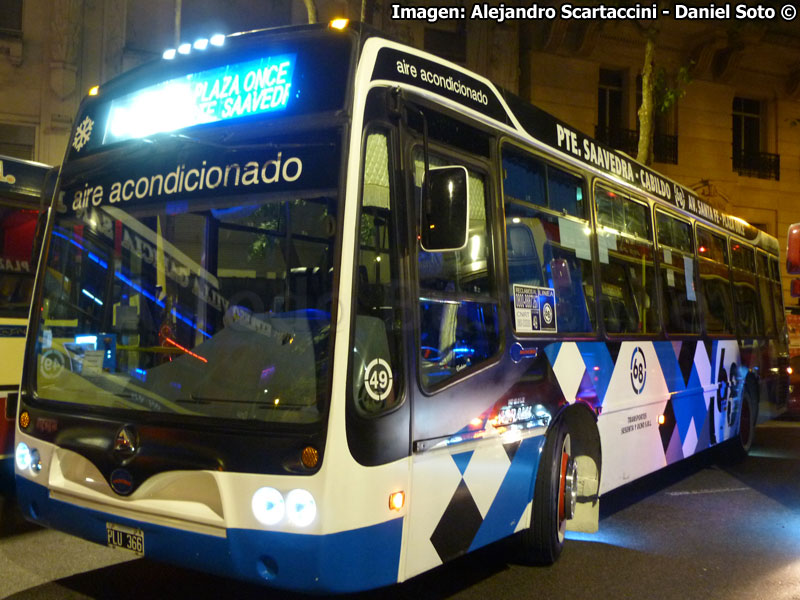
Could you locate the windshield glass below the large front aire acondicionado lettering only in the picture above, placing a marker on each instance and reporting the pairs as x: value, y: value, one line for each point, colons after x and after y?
x: 218, y: 310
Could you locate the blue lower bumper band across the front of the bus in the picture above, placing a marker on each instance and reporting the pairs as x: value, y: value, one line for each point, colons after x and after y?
x: 347, y: 561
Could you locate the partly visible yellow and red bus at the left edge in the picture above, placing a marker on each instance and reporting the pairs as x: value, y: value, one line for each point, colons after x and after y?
x: 21, y: 185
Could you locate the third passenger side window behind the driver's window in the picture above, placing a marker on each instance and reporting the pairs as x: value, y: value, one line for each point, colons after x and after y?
x: 678, y: 267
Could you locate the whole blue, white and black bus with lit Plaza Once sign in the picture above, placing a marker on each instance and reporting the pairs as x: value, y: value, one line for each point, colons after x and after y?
x: 323, y: 311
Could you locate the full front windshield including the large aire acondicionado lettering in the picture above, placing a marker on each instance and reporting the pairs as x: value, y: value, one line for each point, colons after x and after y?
x: 195, y: 281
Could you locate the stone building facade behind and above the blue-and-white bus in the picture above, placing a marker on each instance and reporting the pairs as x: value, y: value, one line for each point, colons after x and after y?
x: 734, y: 135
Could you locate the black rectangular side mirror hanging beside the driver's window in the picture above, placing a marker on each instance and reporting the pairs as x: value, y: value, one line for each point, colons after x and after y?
x: 445, y: 209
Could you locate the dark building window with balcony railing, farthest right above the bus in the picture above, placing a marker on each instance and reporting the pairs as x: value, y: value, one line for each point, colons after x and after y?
x: 748, y: 158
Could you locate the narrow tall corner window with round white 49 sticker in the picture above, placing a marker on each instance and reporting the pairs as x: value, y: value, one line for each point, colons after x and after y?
x: 376, y: 360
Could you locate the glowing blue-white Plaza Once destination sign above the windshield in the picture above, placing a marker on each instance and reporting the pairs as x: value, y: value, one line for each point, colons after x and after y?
x: 254, y: 87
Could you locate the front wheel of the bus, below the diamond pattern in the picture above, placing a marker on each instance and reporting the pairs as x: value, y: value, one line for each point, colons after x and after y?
x: 555, y: 495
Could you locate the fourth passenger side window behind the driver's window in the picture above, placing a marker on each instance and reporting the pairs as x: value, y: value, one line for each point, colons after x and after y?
x: 712, y: 251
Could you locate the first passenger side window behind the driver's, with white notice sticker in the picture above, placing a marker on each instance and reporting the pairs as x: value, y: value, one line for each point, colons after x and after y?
x: 547, y: 244
